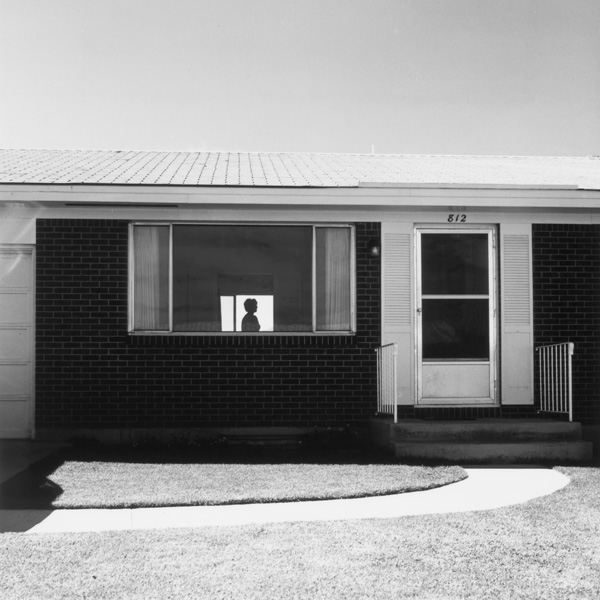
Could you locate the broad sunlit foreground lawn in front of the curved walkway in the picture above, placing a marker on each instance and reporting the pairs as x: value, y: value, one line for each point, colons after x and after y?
x: 547, y: 548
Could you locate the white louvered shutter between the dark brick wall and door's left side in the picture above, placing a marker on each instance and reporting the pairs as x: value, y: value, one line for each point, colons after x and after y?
x: 397, y: 301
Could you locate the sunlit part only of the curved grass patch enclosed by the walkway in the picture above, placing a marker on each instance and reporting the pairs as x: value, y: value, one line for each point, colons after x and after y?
x: 102, y: 484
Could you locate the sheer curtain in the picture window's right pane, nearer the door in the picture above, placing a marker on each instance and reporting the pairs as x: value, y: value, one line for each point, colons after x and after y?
x: 333, y: 279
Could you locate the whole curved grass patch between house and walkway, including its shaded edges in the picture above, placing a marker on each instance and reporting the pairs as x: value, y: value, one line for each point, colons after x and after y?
x: 97, y: 480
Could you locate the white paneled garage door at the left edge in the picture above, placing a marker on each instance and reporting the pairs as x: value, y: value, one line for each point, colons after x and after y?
x: 16, y: 342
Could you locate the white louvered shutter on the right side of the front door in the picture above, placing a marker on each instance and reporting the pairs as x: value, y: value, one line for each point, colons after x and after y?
x: 517, y: 315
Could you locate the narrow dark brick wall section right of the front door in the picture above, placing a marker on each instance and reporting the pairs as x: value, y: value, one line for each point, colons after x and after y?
x: 566, y: 288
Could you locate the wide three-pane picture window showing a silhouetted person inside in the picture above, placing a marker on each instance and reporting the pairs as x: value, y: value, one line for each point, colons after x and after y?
x: 190, y: 278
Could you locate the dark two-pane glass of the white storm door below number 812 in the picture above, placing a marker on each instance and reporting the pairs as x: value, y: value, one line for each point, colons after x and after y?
x: 455, y: 295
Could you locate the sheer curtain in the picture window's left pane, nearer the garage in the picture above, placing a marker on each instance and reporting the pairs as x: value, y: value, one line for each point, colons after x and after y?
x: 151, y: 278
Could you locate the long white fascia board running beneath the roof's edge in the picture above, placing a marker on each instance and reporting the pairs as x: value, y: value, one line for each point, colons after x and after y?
x: 26, y: 195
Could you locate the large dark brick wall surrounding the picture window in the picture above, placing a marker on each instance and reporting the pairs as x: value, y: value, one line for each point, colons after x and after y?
x: 91, y: 374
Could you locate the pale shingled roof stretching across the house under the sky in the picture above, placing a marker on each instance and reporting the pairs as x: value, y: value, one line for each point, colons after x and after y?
x: 96, y: 167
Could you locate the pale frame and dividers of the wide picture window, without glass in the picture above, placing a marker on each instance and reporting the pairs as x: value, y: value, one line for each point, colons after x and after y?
x: 314, y: 332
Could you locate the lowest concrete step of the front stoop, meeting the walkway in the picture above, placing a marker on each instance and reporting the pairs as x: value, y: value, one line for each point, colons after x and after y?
x: 495, y: 452
